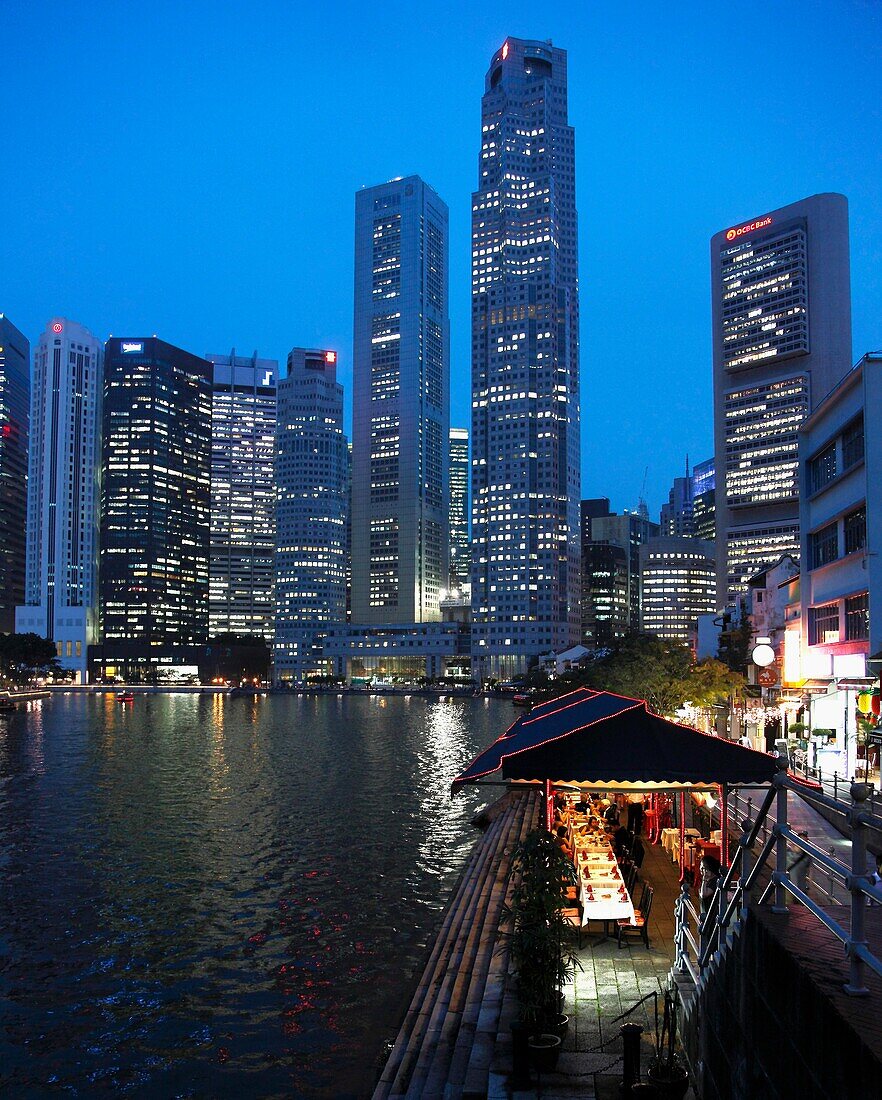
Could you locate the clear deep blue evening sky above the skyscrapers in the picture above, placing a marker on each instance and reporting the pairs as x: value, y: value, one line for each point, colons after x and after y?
x: 191, y: 170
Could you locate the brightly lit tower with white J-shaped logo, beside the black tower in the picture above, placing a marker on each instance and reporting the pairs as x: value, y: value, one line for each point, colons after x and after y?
x: 244, y: 521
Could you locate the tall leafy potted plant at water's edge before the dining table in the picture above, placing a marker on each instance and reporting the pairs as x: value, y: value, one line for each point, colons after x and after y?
x: 541, y: 956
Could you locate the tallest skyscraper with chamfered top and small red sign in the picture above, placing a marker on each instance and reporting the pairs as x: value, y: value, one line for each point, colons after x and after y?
x: 525, y: 366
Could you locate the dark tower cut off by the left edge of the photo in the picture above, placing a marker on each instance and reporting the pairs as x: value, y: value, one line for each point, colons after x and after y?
x: 15, y: 421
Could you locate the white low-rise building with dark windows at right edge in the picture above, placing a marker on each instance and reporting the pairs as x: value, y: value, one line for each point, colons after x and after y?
x: 841, y: 461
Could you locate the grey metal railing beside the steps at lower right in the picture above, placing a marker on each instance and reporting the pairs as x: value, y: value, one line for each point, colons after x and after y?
x: 759, y: 872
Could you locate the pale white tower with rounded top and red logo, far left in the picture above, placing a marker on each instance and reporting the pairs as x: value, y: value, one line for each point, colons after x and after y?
x: 61, y: 595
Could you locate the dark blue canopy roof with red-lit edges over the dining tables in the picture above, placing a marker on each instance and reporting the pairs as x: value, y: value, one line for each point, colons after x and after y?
x: 590, y: 739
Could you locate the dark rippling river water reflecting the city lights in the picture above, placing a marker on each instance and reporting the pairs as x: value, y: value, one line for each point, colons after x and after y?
x: 205, y: 897
